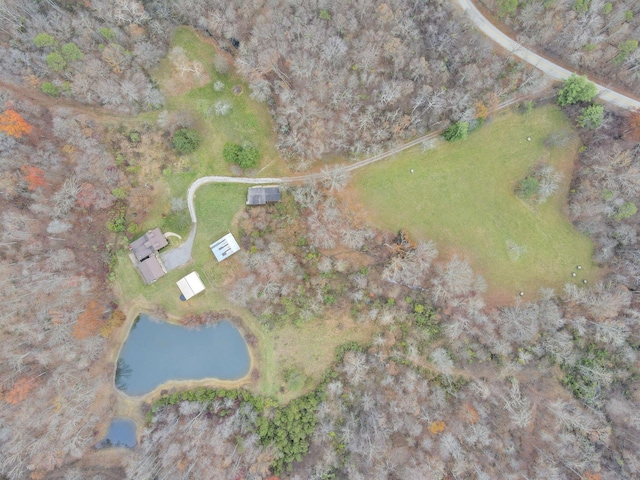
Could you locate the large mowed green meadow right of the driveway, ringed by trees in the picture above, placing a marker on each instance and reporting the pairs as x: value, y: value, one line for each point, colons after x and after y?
x: 461, y: 196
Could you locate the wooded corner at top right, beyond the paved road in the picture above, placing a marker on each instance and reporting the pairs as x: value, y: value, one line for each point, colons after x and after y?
x: 593, y: 36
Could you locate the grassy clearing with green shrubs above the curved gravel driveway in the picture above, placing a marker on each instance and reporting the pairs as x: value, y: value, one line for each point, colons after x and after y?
x: 247, y: 121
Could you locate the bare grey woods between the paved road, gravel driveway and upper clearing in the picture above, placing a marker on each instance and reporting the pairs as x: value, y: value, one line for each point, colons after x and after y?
x: 353, y: 77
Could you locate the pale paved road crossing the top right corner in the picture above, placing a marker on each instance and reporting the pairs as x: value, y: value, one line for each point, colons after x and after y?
x: 554, y: 71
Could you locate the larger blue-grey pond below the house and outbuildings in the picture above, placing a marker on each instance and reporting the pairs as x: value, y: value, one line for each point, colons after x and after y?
x: 156, y: 352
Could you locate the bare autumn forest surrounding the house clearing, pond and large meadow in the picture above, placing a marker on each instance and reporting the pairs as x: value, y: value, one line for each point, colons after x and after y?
x: 449, y: 385
